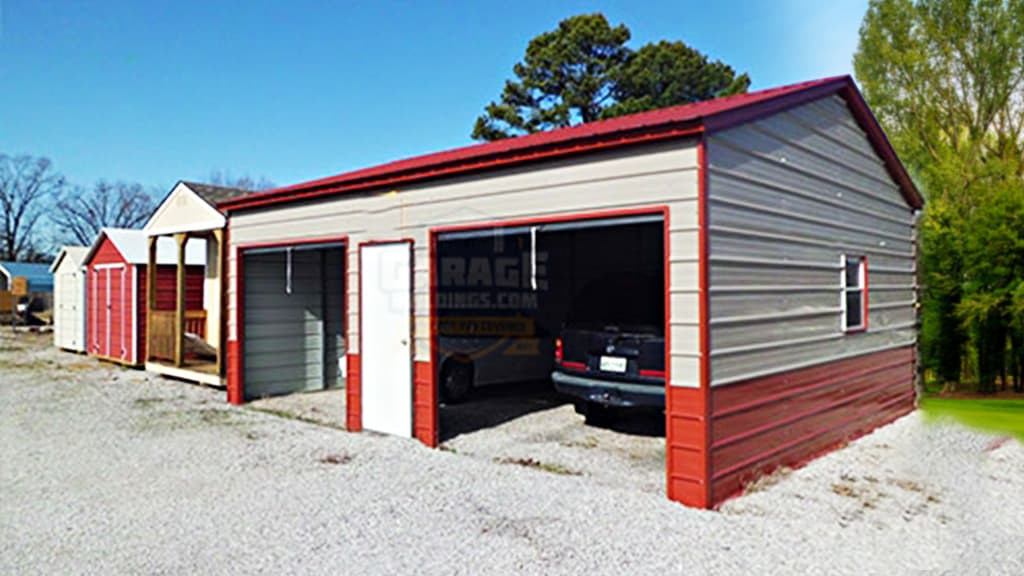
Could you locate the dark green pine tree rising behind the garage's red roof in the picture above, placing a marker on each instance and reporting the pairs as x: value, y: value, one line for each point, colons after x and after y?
x: 583, y: 71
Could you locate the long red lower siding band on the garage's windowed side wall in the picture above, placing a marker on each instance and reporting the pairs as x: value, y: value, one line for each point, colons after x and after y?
x: 787, y: 420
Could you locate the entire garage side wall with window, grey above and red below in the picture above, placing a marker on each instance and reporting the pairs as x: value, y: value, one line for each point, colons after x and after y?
x: 788, y: 196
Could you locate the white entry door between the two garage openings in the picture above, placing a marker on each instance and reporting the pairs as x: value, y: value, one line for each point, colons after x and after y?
x: 386, y: 336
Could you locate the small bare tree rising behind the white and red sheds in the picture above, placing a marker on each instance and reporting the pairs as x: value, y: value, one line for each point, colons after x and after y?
x: 79, y: 215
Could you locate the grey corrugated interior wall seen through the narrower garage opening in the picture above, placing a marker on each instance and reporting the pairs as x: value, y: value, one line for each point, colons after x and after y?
x: 284, y: 322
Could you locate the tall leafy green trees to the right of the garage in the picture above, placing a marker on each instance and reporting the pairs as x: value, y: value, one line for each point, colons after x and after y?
x: 947, y: 80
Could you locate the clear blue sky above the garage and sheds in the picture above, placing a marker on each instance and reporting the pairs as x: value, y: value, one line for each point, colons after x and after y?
x: 158, y: 92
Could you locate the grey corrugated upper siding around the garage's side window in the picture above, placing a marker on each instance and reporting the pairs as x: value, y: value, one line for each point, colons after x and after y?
x: 788, y: 195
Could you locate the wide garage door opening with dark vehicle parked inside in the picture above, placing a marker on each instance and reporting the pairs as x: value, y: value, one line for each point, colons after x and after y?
x: 583, y: 301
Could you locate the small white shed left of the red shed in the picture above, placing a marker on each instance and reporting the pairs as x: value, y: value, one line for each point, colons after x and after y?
x: 69, y: 299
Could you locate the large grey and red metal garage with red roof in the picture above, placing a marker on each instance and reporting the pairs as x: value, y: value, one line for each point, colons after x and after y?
x: 777, y: 207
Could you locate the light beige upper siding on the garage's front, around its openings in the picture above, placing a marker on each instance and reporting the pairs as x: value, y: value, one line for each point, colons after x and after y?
x: 636, y: 178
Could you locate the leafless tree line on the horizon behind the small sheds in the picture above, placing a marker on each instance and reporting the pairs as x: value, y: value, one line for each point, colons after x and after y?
x: 42, y: 211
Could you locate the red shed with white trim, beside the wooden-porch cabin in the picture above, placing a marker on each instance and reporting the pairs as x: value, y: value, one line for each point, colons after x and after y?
x: 116, y: 292
